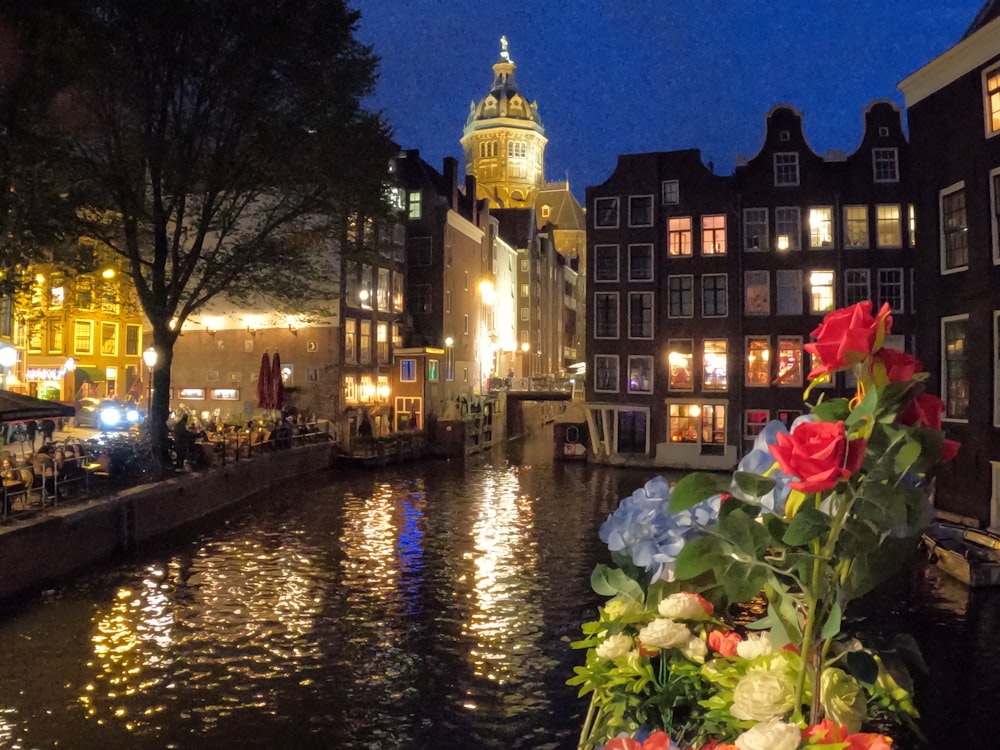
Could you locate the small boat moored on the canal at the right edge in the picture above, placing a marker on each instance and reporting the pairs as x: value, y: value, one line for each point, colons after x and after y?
x: 969, y: 555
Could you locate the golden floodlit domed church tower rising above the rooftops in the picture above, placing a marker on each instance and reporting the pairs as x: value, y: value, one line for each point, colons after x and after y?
x: 504, y: 141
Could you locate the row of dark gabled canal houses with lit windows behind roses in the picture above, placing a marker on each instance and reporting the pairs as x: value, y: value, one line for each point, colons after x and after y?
x: 702, y: 289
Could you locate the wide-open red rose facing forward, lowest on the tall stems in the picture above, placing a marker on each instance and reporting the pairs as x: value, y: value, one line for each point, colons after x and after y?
x: 818, y: 454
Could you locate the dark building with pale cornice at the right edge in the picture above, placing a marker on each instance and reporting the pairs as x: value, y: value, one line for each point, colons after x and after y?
x: 953, y: 109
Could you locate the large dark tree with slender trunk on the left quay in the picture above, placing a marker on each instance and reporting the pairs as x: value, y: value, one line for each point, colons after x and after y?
x: 212, y: 140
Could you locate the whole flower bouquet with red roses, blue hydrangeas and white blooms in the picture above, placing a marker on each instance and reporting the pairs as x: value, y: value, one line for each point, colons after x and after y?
x: 723, y: 624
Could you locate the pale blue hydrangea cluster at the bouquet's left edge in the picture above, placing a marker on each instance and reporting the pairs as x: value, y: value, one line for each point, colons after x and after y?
x: 648, y: 533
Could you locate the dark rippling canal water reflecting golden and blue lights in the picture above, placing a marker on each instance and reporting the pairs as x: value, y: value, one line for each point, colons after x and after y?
x: 415, y: 607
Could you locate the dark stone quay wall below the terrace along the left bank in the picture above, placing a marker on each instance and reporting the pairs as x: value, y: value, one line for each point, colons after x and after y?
x: 61, y: 541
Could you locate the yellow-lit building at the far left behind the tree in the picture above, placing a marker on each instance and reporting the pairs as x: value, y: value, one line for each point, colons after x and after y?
x: 76, y: 335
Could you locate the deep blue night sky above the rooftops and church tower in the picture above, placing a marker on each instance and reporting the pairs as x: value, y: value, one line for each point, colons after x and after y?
x: 631, y: 76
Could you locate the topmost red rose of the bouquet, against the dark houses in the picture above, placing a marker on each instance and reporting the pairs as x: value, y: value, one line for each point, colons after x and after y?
x: 847, y: 336
